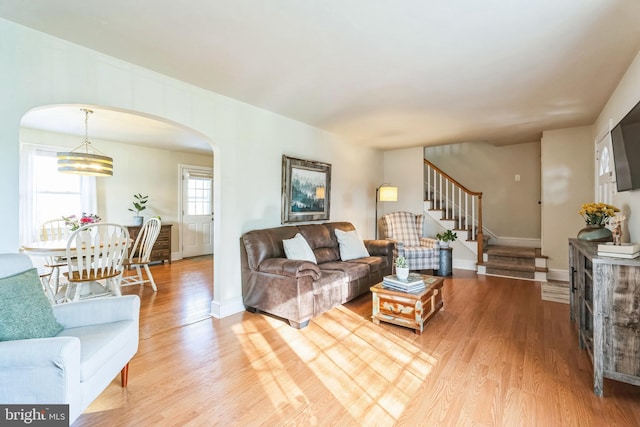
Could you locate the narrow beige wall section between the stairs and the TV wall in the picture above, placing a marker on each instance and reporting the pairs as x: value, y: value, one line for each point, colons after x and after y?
x: 567, y: 183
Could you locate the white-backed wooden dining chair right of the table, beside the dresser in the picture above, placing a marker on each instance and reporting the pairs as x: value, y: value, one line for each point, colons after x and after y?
x: 140, y: 255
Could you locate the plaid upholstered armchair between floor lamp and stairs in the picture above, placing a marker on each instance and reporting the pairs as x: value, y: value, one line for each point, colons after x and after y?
x: 405, y: 230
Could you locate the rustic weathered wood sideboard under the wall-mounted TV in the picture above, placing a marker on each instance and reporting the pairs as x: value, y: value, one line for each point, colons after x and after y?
x: 605, y: 304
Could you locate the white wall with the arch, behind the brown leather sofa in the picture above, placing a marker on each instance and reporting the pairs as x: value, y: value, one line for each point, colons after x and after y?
x: 248, y: 142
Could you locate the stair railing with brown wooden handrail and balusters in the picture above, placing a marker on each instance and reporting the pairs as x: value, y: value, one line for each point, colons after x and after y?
x: 456, y: 201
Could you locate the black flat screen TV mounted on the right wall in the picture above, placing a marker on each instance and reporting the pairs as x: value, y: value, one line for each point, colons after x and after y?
x: 625, y: 142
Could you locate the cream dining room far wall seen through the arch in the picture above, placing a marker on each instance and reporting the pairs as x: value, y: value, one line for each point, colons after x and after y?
x: 137, y: 169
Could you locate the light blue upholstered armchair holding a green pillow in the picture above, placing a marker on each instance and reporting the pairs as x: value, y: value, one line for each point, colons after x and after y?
x: 99, y: 338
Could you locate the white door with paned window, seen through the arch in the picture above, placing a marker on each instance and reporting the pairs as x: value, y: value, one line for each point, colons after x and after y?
x: 197, y: 211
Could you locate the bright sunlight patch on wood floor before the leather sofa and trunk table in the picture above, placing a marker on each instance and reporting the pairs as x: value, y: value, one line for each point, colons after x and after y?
x: 376, y: 372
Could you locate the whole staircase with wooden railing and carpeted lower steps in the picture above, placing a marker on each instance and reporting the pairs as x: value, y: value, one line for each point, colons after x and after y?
x: 456, y: 208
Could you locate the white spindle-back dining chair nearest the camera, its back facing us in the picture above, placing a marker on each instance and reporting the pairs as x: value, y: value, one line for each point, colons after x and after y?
x: 95, y: 258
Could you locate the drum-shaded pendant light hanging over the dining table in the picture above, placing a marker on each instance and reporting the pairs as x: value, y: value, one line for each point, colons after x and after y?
x: 85, y: 159
